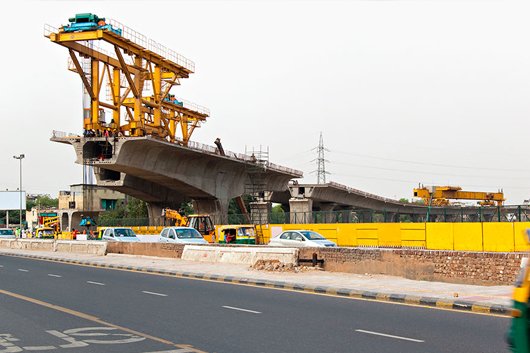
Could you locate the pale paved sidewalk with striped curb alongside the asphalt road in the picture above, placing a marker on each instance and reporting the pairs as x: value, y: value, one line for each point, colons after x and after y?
x: 485, y: 299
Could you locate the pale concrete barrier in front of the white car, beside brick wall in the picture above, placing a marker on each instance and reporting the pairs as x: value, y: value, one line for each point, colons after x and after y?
x: 239, y: 255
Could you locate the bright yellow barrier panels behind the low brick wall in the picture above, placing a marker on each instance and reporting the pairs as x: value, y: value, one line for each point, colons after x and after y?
x: 486, y: 236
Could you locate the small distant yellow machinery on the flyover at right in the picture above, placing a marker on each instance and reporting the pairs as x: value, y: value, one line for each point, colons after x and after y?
x: 440, y: 195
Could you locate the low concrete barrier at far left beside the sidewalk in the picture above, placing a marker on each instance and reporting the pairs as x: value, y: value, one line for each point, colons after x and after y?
x: 70, y: 246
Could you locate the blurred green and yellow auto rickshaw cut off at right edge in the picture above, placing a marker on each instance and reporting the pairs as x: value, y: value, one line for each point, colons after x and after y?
x: 519, y: 334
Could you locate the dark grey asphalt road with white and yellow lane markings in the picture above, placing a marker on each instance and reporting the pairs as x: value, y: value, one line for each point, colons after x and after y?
x: 47, y: 306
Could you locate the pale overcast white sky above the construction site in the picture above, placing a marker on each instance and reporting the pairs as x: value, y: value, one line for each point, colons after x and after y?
x: 403, y: 92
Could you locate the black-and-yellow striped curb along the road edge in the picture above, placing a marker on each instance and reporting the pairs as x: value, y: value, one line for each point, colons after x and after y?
x: 461, y: 305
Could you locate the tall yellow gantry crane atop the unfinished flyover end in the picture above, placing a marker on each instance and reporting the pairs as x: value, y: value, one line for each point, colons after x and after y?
x: 129, y: 77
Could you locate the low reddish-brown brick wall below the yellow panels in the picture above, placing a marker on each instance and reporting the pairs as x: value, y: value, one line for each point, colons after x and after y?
x: 486, y: 268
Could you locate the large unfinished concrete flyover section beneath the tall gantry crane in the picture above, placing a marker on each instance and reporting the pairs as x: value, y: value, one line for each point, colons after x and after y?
x: 164, y: 174
